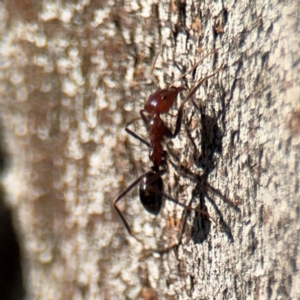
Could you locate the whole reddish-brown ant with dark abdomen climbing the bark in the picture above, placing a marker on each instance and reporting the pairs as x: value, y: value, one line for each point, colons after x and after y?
x: 151, y: 184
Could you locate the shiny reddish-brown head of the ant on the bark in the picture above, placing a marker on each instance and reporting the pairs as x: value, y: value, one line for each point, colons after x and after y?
x: 162, y: 100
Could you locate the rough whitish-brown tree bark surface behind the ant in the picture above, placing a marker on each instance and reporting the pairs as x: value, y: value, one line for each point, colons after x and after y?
x: 74, y: 72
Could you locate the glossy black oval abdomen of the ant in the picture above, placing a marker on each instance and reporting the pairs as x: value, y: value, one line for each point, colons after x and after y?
x: 151, y: 191
